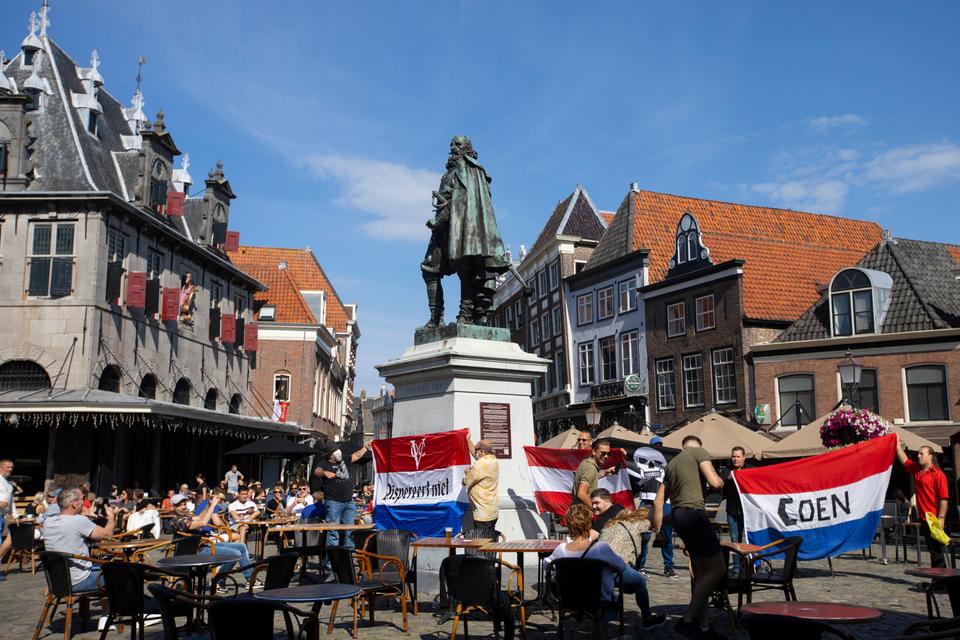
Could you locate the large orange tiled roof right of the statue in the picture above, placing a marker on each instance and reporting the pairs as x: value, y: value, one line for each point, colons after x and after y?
x: 788, y: 254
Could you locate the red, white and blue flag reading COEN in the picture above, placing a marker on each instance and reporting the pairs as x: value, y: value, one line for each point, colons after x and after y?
x: 833, y: 500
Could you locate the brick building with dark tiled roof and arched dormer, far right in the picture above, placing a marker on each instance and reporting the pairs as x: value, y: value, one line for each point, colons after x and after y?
x: 897, y: 311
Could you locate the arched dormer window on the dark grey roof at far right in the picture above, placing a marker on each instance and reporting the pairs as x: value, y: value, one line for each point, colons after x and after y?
x: 858, y: 300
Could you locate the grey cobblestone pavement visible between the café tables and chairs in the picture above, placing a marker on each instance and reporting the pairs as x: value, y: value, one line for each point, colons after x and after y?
x: 857, y: 581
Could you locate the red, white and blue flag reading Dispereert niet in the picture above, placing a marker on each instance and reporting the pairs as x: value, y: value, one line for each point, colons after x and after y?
x: 419, y: 482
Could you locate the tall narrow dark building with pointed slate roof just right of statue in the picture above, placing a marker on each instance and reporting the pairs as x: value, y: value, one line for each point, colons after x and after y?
x: 538, y: 322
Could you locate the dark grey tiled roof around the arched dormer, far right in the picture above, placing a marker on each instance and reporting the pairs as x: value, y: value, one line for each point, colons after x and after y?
x: 925, y: 293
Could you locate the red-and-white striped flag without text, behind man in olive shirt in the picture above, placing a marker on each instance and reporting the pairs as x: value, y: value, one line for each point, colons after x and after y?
x: 552, y: 472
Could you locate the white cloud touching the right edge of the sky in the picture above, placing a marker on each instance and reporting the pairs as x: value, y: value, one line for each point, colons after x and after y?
x: 915, y: 167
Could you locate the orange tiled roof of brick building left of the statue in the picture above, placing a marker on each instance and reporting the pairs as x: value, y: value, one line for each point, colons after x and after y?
x: 303, y: 272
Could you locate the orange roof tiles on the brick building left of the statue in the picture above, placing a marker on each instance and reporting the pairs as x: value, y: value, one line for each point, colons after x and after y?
x: 302, y: 269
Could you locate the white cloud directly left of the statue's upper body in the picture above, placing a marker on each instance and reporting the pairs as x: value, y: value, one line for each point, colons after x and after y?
x: 397, y: 196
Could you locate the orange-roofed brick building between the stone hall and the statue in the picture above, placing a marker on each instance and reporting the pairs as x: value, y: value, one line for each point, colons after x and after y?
x: 308, y: 341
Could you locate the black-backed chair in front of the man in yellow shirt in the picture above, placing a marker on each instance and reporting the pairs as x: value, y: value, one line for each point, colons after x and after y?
x: 474, y: 584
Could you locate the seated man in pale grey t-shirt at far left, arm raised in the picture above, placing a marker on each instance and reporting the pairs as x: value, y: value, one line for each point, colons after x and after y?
x: 68, y: 533
